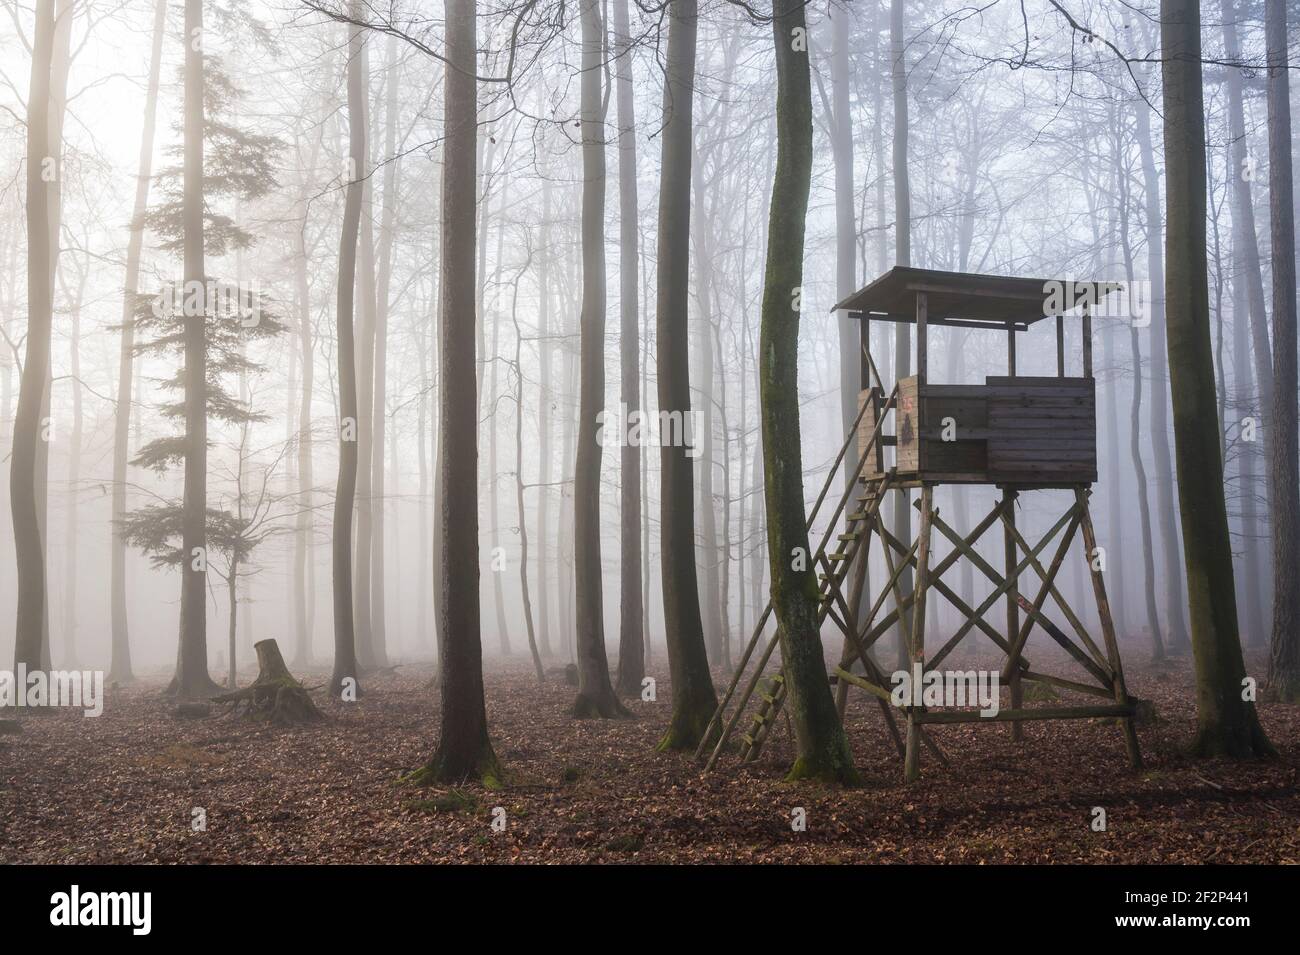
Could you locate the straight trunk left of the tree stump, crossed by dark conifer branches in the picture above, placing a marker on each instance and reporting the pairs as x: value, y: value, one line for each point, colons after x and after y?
x: 193, y: 678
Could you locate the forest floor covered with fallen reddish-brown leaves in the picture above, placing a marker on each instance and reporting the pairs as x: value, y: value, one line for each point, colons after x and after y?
x: 127, y: 788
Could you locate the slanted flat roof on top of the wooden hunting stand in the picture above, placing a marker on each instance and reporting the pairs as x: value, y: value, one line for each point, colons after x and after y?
x: 969, y: 299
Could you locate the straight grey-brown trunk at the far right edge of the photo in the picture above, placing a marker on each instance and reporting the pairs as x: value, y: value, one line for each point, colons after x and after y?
x: 1285, y: 448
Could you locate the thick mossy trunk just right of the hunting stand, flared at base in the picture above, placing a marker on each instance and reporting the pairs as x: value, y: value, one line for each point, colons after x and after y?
x: 1227, y: 724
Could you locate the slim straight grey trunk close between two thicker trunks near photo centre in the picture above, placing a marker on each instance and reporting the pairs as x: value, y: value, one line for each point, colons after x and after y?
x: 632, y: 668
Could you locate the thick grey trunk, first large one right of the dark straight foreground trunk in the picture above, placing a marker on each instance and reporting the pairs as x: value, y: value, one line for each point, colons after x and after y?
x: 596, y: 694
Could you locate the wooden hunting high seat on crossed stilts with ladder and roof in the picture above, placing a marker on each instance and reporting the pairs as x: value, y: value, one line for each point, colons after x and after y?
x: 1019, y: 433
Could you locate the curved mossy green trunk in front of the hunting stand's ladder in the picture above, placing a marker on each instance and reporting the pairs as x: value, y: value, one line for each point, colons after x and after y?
x: 824, y: 750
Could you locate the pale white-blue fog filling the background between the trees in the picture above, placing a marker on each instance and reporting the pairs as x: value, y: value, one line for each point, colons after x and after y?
x: 1032, y: 150
